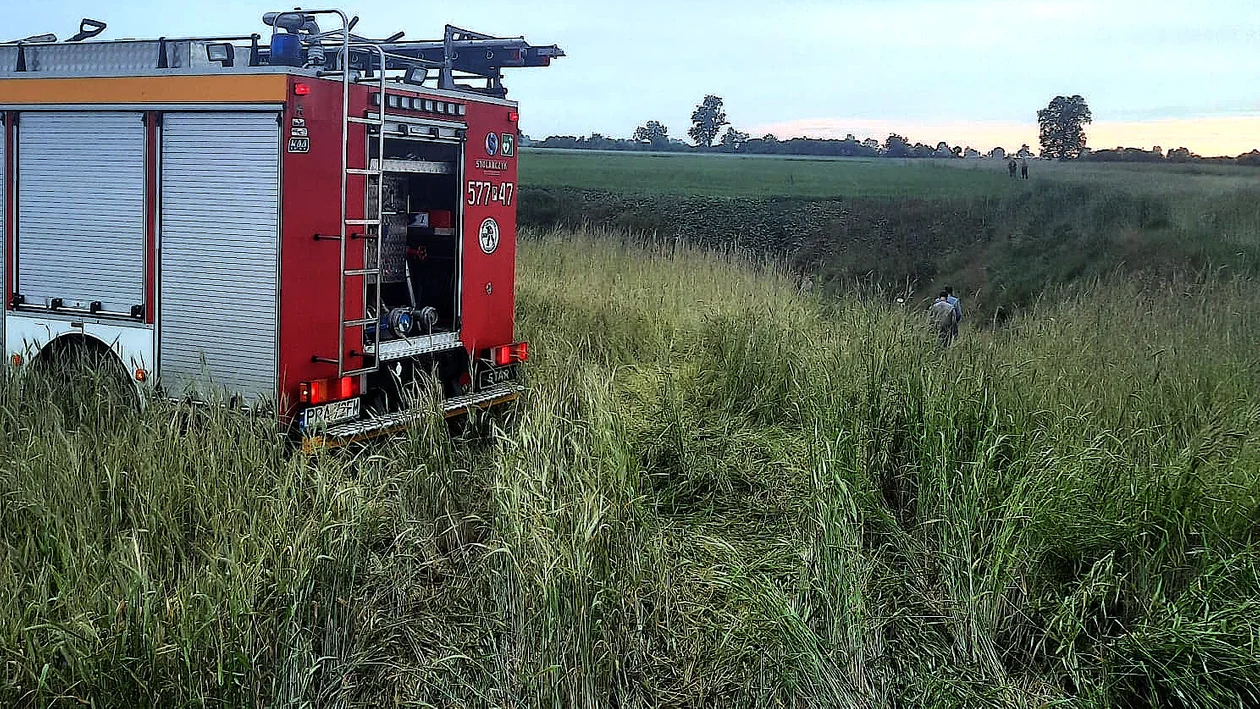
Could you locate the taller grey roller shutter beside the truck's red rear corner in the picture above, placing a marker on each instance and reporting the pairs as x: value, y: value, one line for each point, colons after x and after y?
x: 220, y: 235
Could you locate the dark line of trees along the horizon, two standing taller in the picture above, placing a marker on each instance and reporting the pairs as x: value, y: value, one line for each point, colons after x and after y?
x: 1062, y: 135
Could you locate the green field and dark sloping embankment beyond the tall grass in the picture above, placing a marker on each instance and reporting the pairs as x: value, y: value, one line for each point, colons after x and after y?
x: 915, y: 226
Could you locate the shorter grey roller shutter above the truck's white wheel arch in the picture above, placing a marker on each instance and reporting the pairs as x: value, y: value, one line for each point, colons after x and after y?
x: 81, y: 210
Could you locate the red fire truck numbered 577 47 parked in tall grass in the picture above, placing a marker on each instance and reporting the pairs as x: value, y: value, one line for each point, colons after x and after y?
x: 321, y: 224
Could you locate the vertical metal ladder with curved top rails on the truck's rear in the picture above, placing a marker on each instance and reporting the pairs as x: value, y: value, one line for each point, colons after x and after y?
x: 370, y: 317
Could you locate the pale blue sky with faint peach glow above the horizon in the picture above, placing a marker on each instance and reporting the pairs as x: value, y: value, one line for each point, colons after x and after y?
x: 977, y: 70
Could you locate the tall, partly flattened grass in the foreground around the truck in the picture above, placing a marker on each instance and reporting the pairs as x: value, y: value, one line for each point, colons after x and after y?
x: 719, y: 492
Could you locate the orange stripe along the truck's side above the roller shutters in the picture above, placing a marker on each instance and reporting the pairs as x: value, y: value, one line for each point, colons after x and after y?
x: 269, y: 89
